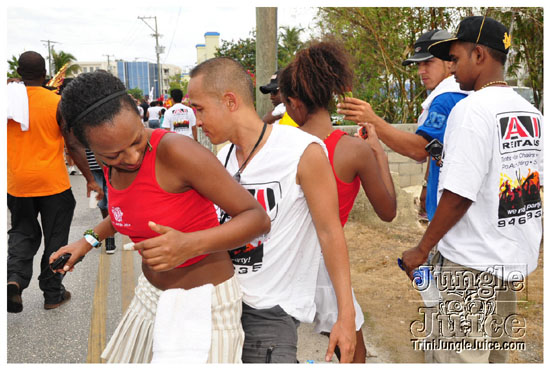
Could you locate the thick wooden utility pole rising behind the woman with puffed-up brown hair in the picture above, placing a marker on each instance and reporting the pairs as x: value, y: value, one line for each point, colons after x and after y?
x: 266, y: 54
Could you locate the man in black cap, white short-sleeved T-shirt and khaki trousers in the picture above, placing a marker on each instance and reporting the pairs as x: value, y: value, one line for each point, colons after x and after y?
x: 487, y: 225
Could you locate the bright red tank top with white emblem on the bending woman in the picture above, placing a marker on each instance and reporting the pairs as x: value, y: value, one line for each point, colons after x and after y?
x: 144, y: 200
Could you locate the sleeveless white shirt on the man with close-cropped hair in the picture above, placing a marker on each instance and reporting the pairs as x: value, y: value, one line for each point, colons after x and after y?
x: 282, y: 268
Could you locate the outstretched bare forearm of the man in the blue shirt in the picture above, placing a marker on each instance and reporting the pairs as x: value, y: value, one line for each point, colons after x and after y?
x: 404, y: 143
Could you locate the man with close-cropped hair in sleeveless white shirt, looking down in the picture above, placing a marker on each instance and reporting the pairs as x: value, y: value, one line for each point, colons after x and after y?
x: 288, y: 172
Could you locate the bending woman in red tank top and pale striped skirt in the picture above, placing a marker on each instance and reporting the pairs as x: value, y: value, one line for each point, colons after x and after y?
x: 162, y: 187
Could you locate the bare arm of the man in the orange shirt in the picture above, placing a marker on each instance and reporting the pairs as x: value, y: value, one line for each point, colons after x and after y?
x: 78, y: 154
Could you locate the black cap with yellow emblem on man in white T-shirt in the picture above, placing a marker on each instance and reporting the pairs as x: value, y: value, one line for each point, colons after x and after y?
x: 477, y: 30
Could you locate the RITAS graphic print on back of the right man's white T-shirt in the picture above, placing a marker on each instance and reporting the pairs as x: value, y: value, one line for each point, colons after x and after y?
x: 519, y: 146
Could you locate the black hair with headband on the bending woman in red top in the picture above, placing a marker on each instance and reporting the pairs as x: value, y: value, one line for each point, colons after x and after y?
x: 84, y: 91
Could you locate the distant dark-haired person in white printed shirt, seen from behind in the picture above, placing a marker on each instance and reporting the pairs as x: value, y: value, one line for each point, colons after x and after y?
x: 180, y: 118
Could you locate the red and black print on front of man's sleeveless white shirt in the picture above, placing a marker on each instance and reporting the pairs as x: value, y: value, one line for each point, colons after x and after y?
x: 249, y: 258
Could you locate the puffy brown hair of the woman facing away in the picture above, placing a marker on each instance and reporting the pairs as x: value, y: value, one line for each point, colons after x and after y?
x: 316, y: 74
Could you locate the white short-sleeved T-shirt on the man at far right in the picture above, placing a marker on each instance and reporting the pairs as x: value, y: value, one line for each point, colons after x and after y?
x: 493, y: 155
